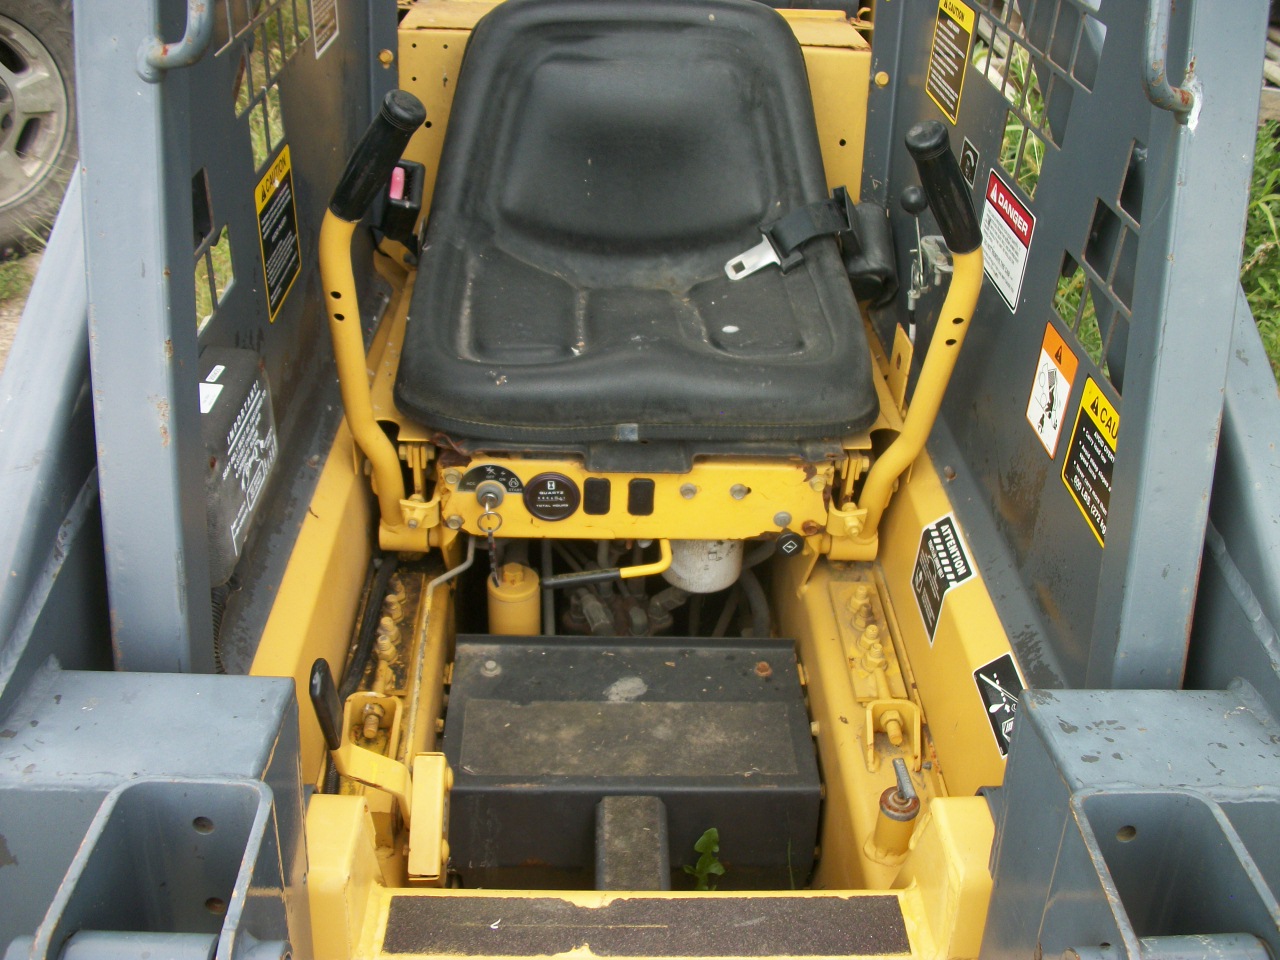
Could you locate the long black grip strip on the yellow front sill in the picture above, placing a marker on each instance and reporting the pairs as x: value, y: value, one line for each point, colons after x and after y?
x: 783, y: 926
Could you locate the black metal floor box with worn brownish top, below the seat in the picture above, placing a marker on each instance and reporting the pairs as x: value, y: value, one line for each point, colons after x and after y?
x: 538, y: 733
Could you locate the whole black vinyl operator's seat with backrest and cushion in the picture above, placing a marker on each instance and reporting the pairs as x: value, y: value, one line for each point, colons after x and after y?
x: 605, y: 161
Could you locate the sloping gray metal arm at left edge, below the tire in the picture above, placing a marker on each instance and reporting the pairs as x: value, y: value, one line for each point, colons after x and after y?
x: 53, y: 598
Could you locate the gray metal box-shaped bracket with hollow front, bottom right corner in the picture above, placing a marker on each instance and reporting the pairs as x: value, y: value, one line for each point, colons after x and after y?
x: 1112, y: 844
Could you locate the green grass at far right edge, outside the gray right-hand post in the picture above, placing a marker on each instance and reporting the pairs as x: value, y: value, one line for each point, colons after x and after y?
x: 1260, y: 271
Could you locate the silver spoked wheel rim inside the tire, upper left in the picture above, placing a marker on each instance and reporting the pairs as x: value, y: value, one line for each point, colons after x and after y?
x: 34, y: 113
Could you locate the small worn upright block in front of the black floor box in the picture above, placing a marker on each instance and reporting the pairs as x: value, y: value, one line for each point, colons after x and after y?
x: 632, y: 844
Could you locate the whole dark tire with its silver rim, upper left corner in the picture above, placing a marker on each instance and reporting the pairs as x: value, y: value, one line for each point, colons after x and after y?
x: 38, y: 118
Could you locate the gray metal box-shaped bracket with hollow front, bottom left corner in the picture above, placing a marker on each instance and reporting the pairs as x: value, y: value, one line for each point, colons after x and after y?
x: 203, y: 778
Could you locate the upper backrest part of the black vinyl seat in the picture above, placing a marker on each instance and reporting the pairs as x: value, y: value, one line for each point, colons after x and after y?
x: 611, y: 138
